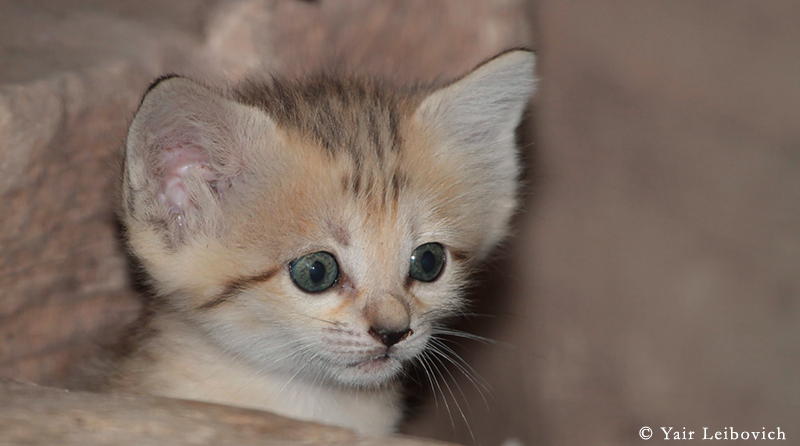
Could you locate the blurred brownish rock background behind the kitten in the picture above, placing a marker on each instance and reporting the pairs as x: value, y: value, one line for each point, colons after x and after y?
x: 653, y: 278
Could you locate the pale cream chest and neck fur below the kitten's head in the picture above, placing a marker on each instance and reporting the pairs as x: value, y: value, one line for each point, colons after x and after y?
x: 178, y: 362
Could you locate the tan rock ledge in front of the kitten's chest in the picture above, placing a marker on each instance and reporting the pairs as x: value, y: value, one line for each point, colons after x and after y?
x: 30, y: 414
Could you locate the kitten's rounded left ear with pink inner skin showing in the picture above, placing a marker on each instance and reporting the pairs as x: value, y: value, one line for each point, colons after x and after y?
x: 186, y: 148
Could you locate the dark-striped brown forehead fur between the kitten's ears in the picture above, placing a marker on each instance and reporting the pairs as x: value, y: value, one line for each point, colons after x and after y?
x: 360, y: 129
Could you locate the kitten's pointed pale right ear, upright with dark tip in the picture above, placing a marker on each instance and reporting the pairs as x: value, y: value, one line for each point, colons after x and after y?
x: 476, y: 119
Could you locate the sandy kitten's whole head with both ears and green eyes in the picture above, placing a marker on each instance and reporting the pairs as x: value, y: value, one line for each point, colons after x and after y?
x: 323, y: 227
